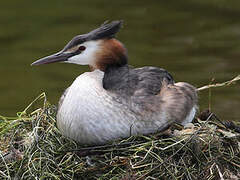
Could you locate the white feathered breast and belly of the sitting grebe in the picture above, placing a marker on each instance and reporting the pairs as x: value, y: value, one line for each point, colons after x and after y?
x: 91, y: 115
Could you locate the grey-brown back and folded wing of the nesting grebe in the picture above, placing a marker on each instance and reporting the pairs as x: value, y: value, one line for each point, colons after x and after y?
x: 151, y: 92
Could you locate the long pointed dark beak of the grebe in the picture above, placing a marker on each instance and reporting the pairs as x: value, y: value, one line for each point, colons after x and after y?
x: 58, y: 57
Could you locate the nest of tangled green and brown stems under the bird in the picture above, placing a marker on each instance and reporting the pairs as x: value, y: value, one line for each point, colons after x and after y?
x: 33, y: 148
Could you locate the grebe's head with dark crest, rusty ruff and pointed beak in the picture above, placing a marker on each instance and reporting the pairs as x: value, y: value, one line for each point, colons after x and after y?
x: 98, y: 49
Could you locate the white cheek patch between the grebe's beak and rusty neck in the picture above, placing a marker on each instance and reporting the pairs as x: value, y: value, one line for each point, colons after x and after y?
x: 88, y: 56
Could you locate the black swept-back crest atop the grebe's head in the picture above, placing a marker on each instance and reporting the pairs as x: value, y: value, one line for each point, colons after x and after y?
x: 106, y: 30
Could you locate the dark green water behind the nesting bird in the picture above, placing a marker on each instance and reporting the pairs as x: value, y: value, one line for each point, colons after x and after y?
x: 195, y: 40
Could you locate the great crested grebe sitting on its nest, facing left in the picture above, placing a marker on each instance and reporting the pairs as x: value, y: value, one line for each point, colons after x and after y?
x: 115, y: 100
